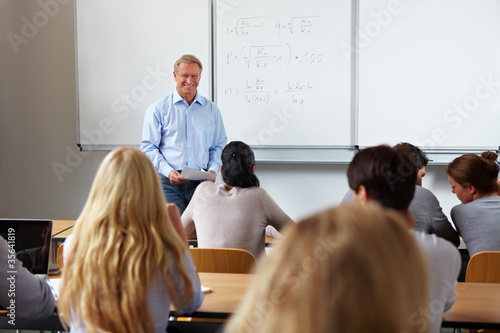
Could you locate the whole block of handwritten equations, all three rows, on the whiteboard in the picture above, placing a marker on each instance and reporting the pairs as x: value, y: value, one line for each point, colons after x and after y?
x: 269, y: 60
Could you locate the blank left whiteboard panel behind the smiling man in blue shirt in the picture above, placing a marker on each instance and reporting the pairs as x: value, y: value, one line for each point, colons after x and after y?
x: 125, y: 51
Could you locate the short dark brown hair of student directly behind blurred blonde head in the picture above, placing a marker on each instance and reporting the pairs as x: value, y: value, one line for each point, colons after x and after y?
x: 388, y: 176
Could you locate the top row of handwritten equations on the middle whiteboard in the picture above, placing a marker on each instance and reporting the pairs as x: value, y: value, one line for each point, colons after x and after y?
x: 247, y: 26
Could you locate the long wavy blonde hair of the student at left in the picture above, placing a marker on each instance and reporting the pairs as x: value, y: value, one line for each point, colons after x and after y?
x: 123, y: 241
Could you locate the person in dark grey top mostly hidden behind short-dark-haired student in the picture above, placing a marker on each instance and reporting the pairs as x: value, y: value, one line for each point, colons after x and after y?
x: 424, y: 206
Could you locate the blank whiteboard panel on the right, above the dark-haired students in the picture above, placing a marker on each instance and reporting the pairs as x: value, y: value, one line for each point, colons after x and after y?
x: 429, y: 73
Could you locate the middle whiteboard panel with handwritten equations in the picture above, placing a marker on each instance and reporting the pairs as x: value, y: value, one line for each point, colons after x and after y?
x: 282, y: 77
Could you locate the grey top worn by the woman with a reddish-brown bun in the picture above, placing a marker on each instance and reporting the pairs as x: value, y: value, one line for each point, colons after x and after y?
x: 478, y: 222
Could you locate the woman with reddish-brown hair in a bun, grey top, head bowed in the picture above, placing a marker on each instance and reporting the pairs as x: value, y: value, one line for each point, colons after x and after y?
x: 474, y: 180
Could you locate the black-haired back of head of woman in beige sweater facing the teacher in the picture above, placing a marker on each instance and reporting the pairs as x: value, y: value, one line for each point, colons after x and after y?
x: 238, y: 162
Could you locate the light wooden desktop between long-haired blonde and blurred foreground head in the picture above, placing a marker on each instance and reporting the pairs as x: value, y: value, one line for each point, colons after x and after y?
x: 227, y: 292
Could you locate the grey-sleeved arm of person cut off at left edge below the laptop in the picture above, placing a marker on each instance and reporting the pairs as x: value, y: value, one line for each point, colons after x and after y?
x: 31, y: 298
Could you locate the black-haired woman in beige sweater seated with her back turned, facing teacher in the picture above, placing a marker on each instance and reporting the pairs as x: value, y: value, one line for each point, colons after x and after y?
x: 235, y: 214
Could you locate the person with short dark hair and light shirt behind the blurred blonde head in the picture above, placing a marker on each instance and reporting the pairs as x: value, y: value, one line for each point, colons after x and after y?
x: 387, y: 176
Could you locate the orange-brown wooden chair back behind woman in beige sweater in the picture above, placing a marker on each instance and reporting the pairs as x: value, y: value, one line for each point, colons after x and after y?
x: 223, y: 260
